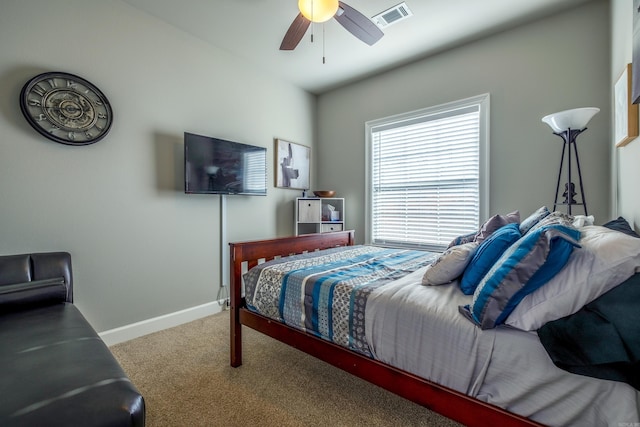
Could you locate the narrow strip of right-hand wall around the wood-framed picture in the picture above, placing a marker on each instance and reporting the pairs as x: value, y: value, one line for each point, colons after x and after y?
x: 626, y: 173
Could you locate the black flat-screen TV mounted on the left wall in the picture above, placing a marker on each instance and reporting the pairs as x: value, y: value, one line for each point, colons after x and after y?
x: 218, y: 166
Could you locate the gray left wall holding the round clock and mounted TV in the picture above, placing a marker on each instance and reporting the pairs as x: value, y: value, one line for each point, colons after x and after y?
x: 141, y: 248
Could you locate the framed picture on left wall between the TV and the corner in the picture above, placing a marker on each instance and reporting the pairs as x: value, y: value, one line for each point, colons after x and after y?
x: 292, y: 165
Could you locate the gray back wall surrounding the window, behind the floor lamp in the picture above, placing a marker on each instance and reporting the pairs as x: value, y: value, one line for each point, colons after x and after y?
x: 533, y: 70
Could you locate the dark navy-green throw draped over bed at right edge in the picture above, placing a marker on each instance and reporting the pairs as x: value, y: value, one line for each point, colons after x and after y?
x: 602, y: 339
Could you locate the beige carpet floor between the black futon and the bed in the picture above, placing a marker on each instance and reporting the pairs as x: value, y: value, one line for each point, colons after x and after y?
x: 184, y: 375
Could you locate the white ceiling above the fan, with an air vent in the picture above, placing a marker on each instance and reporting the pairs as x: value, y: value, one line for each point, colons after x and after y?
x: 253, y: 30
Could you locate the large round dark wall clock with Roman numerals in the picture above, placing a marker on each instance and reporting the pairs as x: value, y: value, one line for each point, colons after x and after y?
x: 66, y: 108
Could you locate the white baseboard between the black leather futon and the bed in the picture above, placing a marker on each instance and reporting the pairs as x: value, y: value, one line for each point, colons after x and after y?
x: 138, y: 329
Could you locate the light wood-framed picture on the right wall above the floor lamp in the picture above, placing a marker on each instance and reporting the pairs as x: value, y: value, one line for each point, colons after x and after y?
x: 625, y: 112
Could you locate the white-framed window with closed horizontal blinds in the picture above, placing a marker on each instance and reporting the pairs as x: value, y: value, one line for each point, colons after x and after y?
x: 427, y: 174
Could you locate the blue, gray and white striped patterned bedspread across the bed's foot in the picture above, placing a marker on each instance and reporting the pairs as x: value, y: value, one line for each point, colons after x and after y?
x: 325, y: 292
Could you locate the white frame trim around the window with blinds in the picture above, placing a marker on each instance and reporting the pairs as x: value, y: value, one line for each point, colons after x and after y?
x: 483, y: 102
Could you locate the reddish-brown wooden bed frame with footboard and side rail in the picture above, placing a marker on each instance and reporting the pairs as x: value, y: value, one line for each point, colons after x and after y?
x: 445, y: 401
